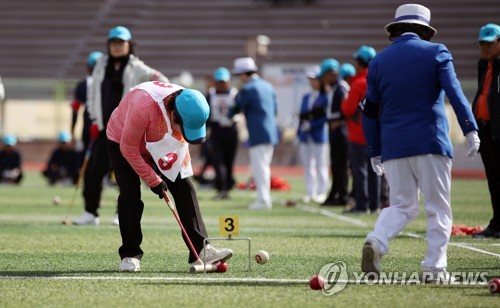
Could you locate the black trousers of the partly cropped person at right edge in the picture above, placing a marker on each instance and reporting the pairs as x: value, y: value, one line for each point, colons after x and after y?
x: 490, y: 154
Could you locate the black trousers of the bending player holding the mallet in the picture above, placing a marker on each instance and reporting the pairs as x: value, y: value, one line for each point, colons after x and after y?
x: 130, y: 206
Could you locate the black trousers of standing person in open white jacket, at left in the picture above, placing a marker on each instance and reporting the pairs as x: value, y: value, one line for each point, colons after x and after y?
x: 98, y: 167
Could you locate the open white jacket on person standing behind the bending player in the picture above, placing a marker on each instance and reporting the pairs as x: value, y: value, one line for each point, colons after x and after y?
x: 135, y: 72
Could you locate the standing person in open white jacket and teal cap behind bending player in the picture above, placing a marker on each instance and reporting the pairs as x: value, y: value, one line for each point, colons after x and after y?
x: 113, y: 76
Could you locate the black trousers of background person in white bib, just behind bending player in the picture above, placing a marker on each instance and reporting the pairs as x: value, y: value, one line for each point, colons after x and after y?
x: 224, y: 142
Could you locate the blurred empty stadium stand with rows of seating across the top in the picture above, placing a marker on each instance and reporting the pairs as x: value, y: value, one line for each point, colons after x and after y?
x: 51, y: 38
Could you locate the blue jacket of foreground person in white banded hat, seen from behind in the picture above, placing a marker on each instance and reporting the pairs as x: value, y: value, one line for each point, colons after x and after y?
x: 408, y: 81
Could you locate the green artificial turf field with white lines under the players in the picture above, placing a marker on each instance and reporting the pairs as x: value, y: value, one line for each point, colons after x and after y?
x: 45, y: 263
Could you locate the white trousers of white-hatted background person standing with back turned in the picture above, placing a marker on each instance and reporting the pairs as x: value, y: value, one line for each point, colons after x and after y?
x: 260, y: 161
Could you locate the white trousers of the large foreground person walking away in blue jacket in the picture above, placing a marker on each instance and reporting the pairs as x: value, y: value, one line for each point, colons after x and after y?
x: 430, y: 174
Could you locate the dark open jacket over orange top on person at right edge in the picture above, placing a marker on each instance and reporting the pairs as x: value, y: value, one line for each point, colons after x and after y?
x: 493, y: 96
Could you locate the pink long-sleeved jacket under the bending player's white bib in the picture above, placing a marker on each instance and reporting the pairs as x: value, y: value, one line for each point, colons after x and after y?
x: 138, y: 115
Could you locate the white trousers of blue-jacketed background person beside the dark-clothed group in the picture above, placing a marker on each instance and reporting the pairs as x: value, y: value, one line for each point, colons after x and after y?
x: 315, y: 162
